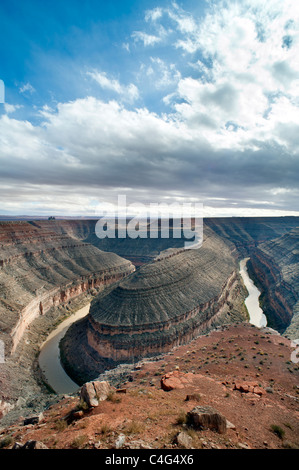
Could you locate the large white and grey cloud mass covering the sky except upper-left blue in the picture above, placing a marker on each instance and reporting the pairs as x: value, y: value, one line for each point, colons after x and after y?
x: 231, y: 138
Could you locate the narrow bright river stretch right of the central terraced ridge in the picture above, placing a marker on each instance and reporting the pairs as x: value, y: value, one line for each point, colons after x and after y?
x: 256, y: 314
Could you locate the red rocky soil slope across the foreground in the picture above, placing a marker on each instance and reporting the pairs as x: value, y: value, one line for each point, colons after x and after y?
x: 243, y: 372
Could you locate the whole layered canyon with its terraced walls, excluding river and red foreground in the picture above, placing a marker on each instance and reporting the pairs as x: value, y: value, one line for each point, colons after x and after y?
x: 147, y: 296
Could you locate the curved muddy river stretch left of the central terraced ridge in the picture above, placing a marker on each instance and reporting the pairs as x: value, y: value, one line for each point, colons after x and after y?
x: 49, y: 358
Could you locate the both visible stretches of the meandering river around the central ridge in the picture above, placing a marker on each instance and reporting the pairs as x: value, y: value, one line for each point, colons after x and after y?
x: 49, y: 358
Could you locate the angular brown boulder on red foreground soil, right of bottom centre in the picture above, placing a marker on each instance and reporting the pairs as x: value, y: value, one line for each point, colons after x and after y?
x: 207, y: 417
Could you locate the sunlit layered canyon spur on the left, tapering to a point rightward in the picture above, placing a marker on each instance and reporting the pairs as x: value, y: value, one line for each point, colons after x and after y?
x: 40, y: 268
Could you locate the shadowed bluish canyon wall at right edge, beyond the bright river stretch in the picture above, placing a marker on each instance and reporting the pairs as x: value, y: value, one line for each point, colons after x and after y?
x: 275, y: 268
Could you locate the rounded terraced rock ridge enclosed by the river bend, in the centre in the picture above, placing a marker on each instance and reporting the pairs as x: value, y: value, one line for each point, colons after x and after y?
x: 164, y: 304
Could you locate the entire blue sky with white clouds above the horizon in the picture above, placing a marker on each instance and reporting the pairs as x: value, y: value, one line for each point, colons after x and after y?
x: 161, y: 101
